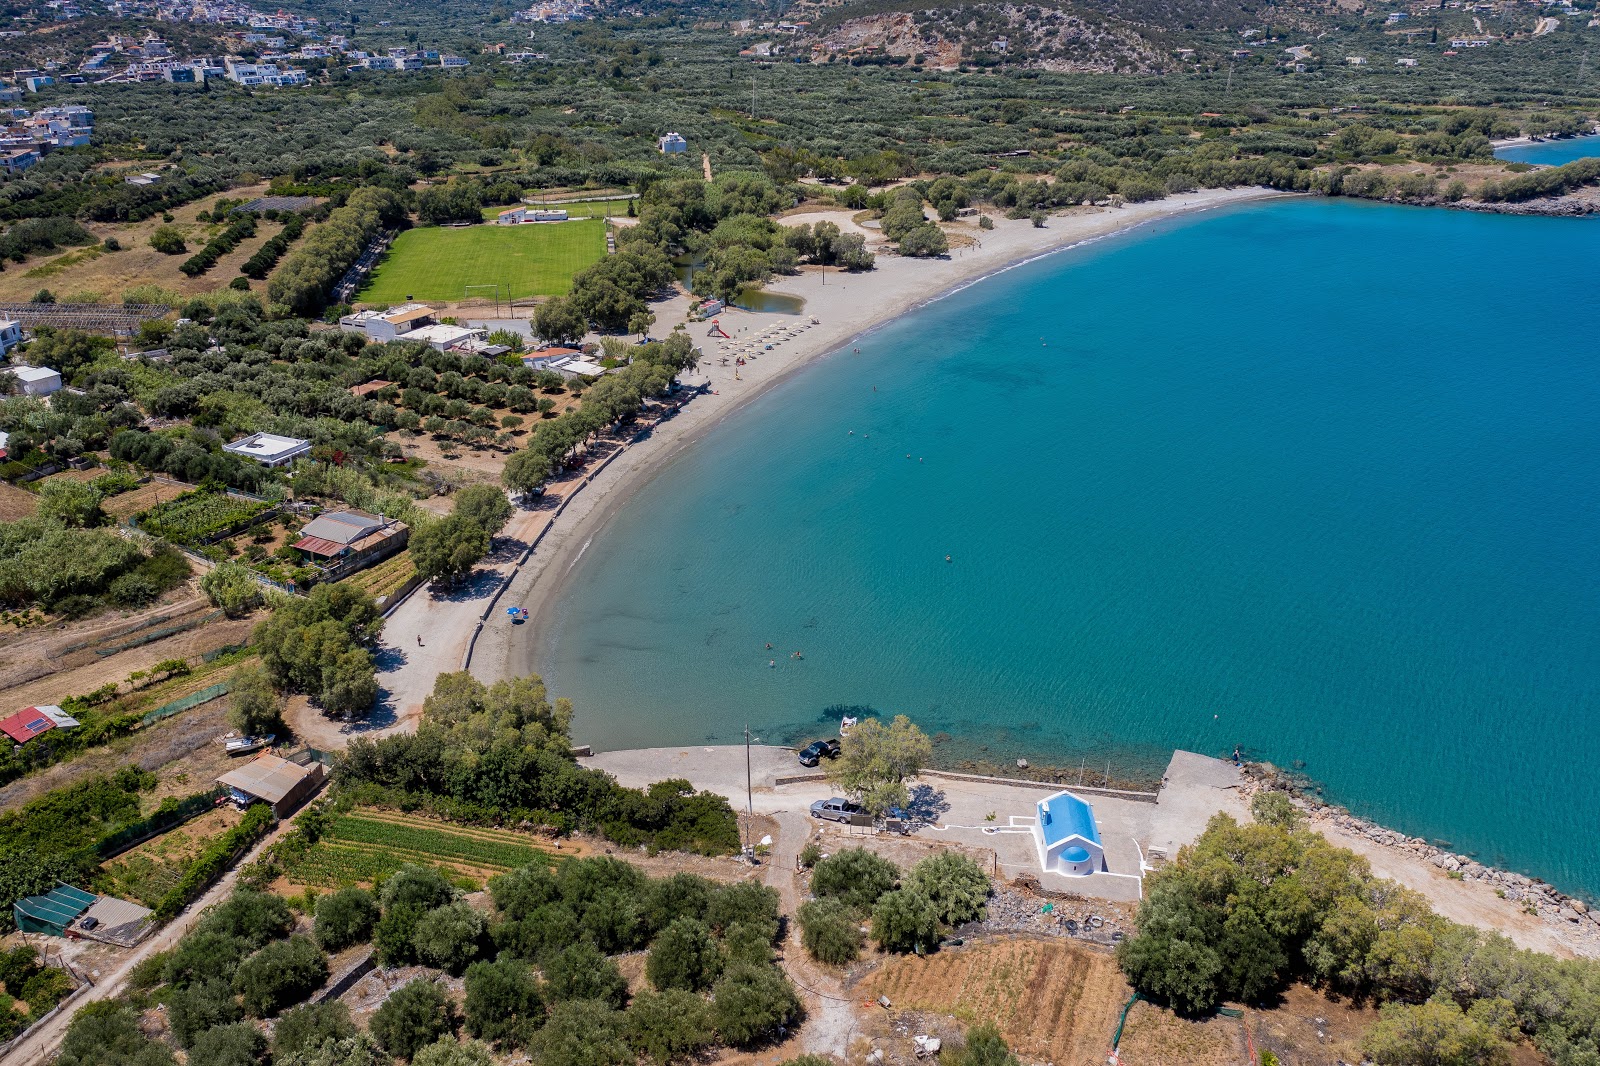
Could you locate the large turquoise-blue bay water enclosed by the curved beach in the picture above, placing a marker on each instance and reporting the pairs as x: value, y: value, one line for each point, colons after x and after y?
x: 1313, y: 478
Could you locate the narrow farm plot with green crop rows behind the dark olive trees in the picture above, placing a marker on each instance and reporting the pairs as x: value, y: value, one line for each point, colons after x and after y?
x: 366, y: 846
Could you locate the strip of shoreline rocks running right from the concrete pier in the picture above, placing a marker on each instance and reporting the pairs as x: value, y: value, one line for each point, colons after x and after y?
x: 1575, y: 920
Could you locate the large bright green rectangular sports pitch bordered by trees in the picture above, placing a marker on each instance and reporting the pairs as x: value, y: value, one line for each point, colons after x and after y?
x: 438, y: 263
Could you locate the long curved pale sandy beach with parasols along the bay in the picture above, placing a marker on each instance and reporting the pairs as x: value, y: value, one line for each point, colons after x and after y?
x: 846, y: 307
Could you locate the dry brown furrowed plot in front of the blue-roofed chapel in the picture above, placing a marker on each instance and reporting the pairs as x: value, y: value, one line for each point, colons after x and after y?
x: 1054, y: 1001
